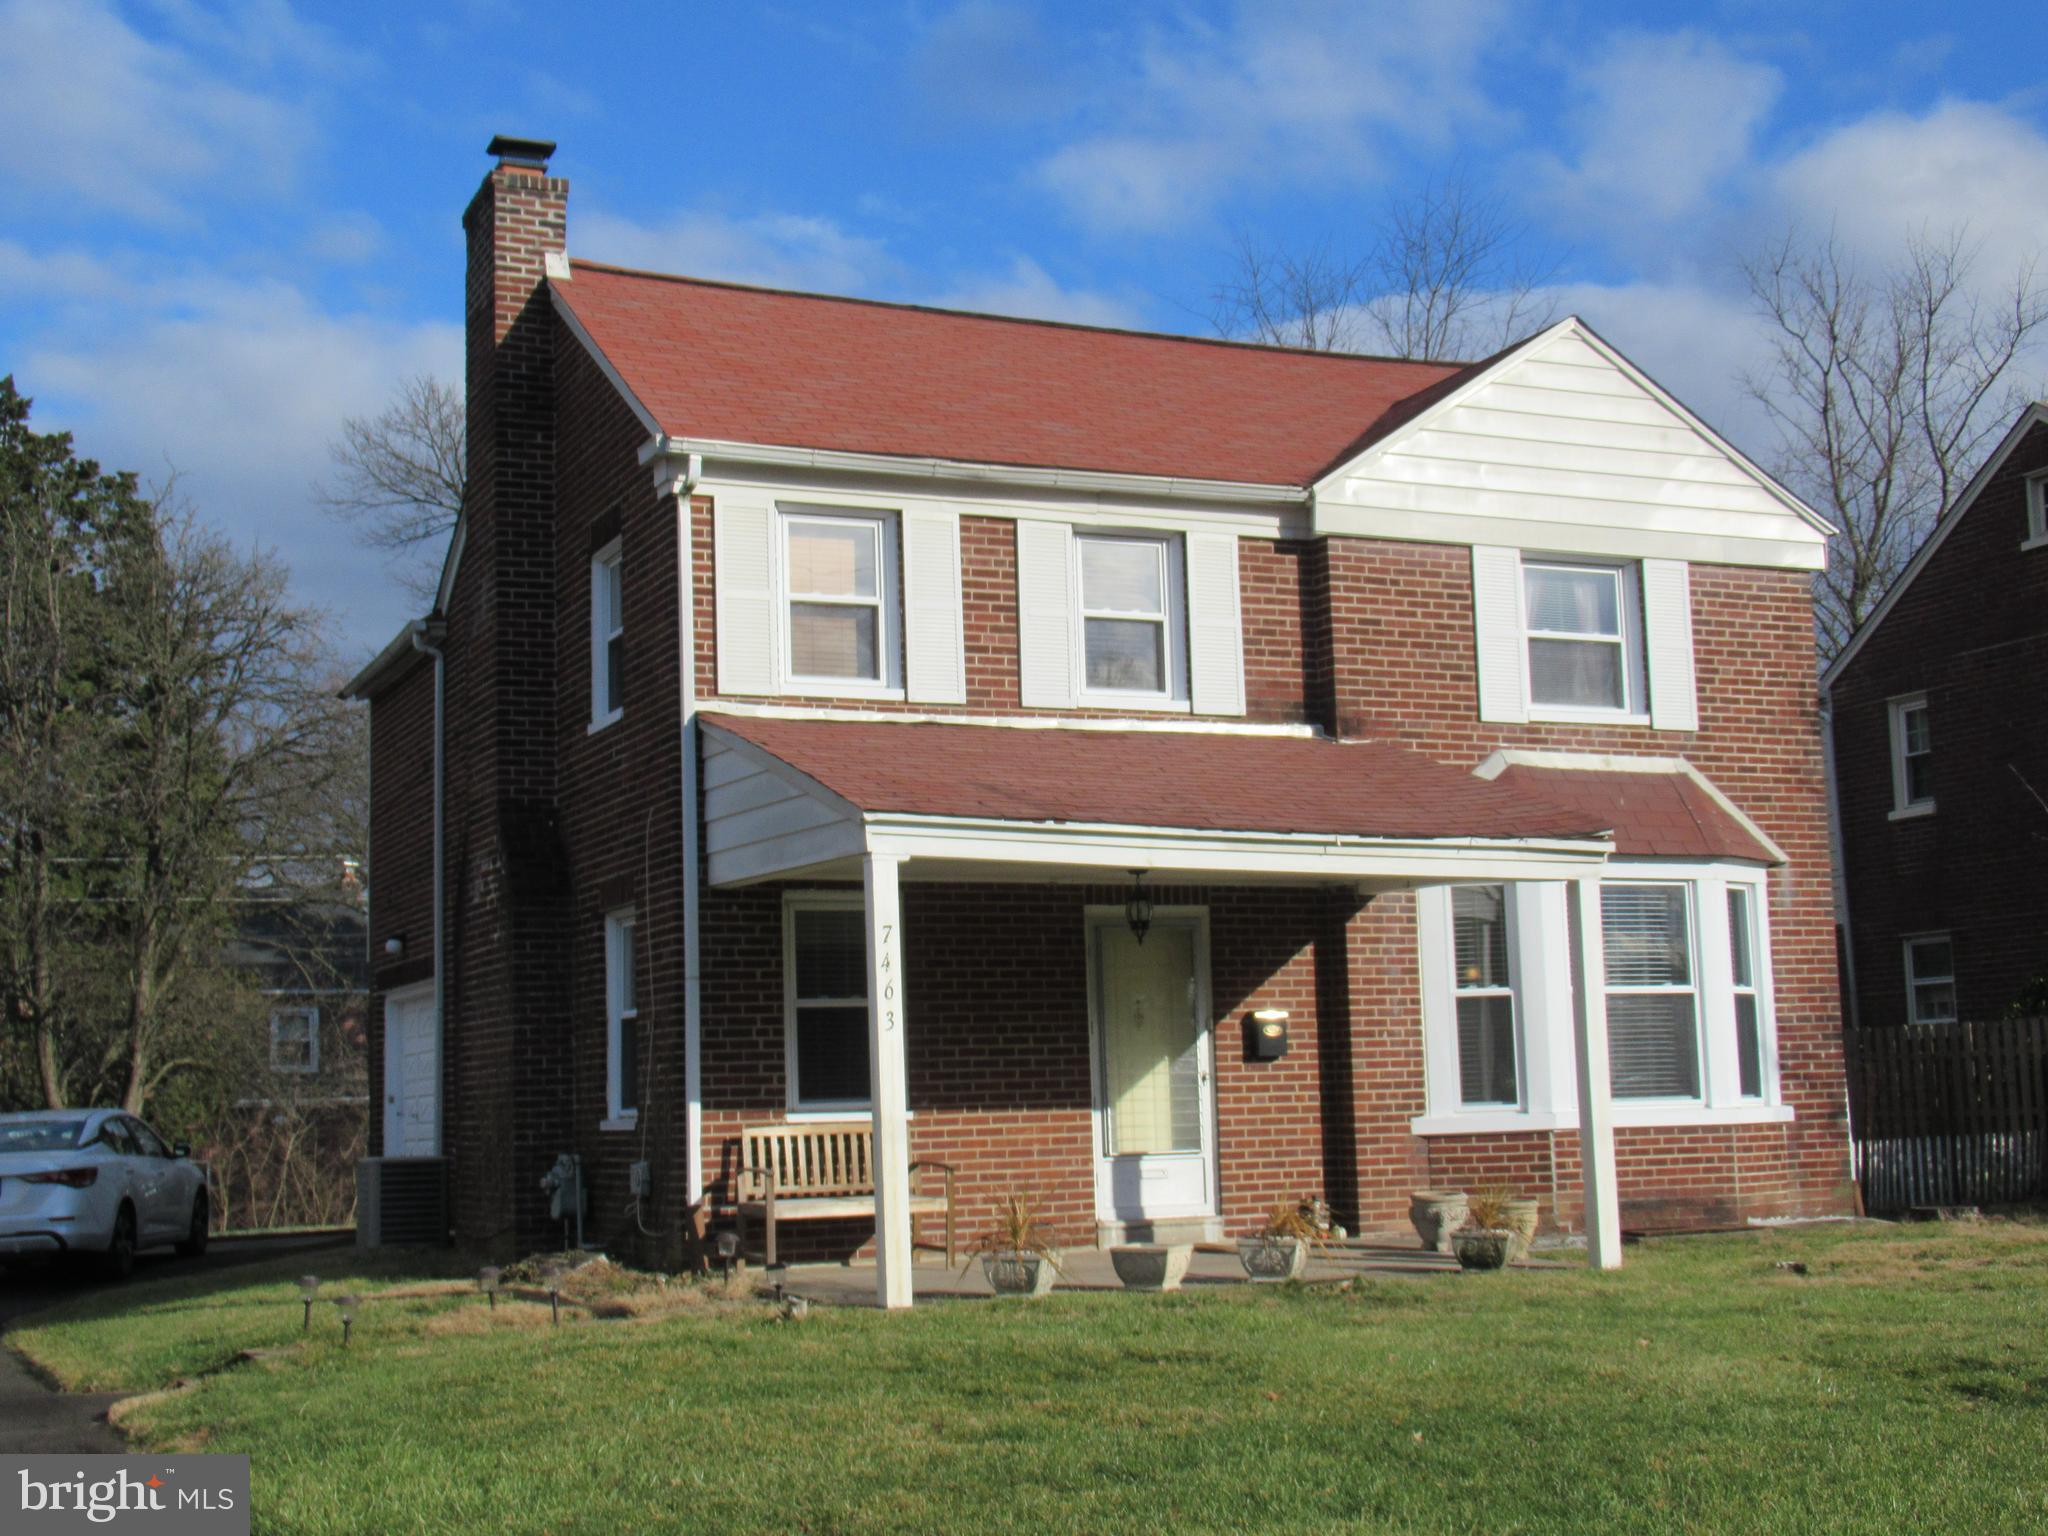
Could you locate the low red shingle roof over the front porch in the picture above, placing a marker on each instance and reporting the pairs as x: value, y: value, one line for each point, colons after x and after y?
x: 1177, y: 779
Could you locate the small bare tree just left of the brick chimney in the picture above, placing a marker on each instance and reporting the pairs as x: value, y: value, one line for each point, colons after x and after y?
x: 400, y: 476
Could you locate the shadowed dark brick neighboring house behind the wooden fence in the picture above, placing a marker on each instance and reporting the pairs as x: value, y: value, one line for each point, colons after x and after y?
x: 1940, y: 742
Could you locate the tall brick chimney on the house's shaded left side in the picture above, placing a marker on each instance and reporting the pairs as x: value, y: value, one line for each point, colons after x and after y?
x: 507, y: 1054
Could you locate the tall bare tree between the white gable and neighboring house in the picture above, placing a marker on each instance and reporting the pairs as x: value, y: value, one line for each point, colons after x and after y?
x: 1885, y: 388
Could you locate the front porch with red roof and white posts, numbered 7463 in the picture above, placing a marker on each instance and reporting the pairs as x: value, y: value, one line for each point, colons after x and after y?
x: 1105, y: 1058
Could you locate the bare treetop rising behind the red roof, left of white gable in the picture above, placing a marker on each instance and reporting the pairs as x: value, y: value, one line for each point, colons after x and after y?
x: 1445, y: 280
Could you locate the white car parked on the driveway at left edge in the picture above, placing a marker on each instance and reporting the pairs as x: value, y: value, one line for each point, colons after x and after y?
x: 97, y: 1183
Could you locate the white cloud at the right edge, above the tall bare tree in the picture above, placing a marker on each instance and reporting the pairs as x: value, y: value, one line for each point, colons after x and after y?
x: 1885, y: 177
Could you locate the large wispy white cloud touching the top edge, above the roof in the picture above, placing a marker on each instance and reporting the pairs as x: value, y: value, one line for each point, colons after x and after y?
x: 1281, y: 95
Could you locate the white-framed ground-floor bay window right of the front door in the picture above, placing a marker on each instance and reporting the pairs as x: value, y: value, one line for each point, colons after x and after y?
x: 1689, y: 992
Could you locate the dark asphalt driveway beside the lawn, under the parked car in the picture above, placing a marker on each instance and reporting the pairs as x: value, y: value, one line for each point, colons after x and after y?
x: 38, y: 1418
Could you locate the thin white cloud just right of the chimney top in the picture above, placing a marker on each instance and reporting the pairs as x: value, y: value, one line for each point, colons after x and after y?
x: 783, y: 251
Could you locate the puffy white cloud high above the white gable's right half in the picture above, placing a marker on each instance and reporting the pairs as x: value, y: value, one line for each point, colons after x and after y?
x: 1664, y: 122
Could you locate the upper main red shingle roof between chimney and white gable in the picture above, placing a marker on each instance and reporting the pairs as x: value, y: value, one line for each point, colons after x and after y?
x: 798, y: 370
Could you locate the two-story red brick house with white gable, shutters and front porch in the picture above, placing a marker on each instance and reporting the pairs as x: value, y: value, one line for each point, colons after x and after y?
x: 1410, y: 689
